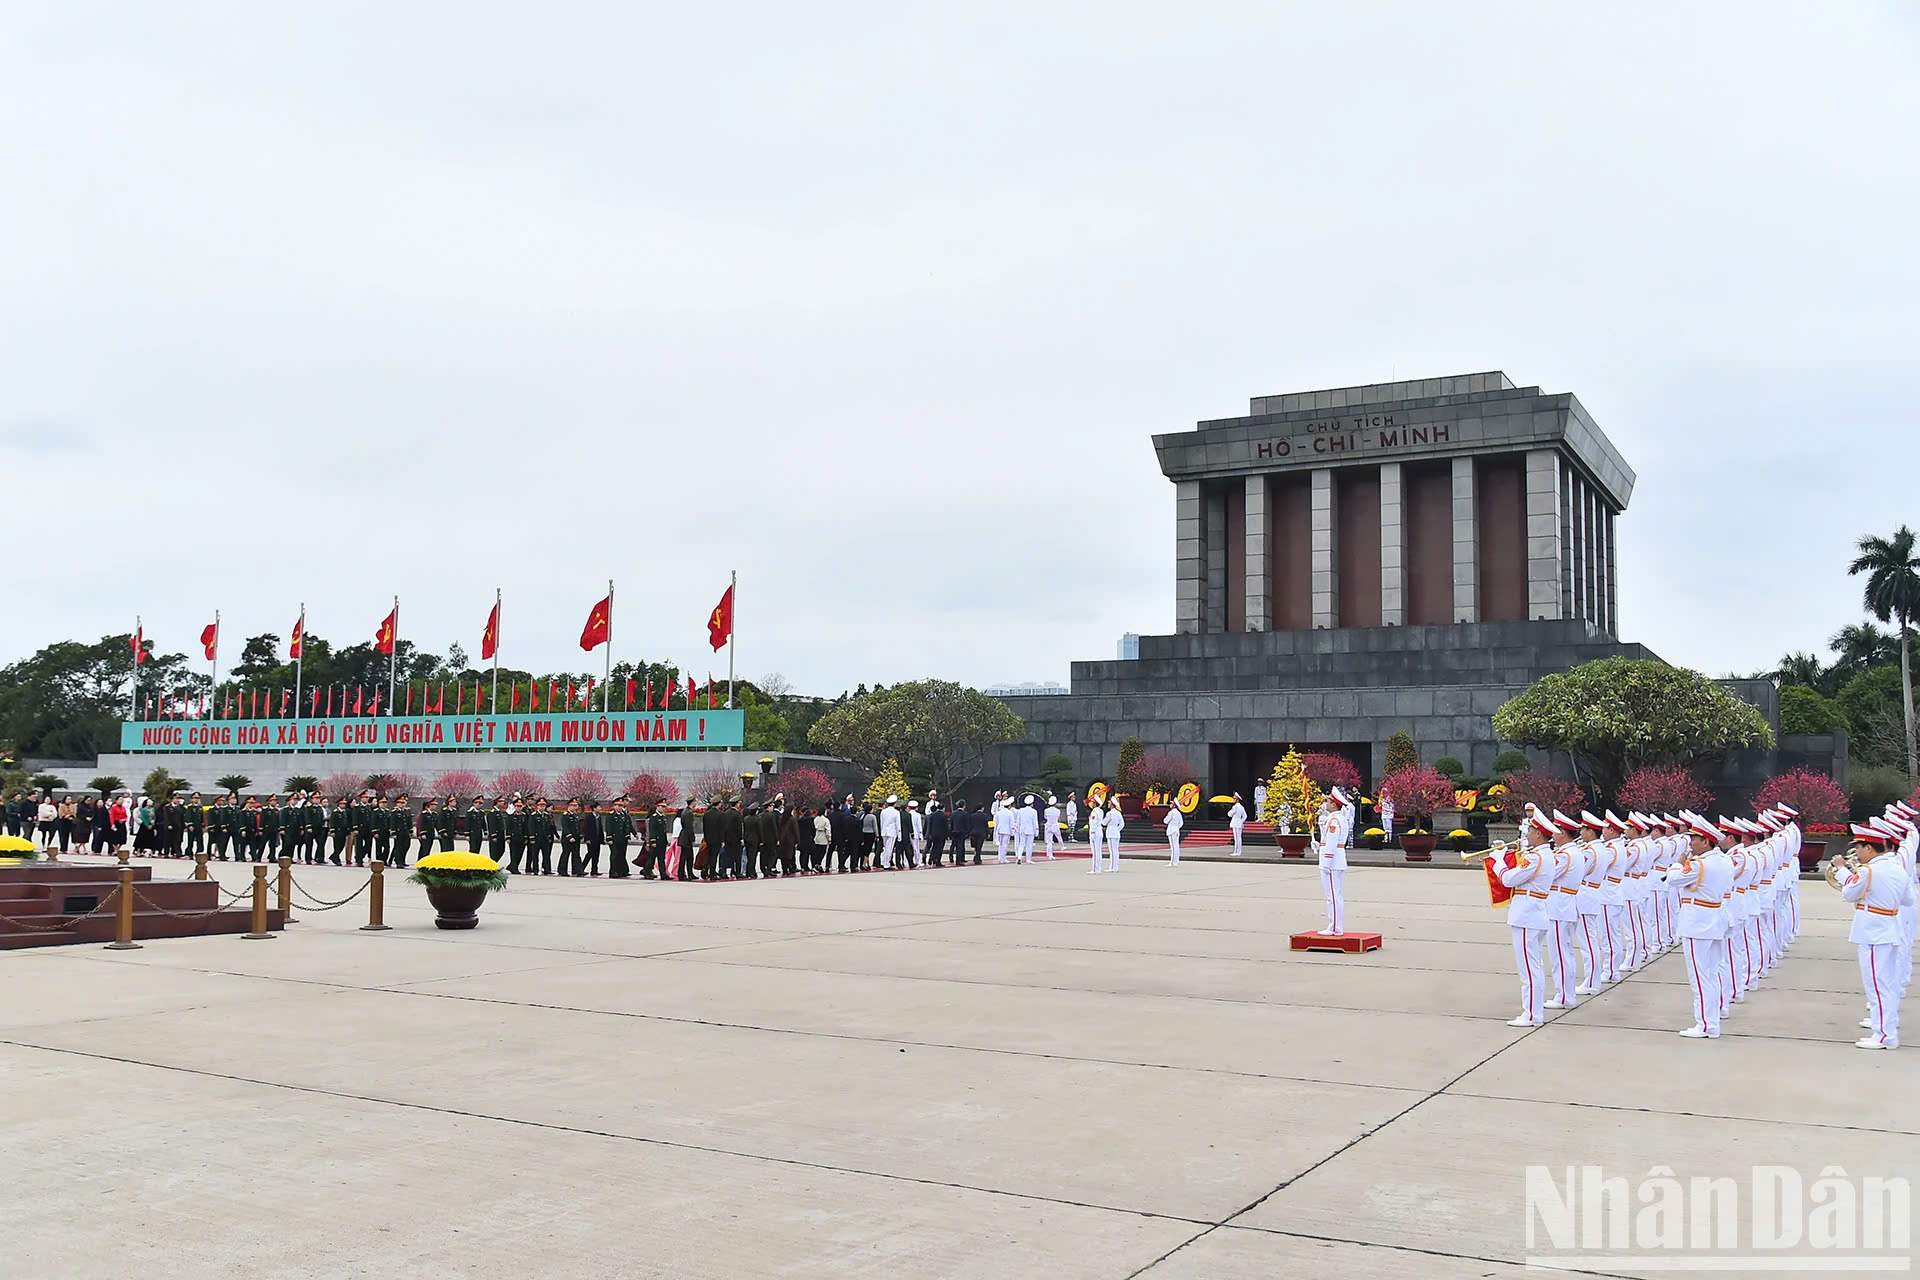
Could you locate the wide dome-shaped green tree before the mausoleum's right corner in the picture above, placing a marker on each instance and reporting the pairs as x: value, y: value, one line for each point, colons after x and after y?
x: 1618, y: 715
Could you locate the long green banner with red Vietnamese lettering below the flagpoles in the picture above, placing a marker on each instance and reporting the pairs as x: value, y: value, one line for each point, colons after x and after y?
x: 571, y: 732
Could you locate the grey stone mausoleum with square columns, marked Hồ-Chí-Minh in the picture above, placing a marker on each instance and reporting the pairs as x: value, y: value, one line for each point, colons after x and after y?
x: 1356, y: 561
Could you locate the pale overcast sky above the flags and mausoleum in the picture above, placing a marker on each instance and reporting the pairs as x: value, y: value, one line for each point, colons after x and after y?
x: 880, y: 304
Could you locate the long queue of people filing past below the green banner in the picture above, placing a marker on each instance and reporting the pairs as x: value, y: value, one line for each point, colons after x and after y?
x: 725, y: 840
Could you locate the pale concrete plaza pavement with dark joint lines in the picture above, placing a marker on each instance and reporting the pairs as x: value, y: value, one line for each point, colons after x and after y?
x: 984, y: 1072
